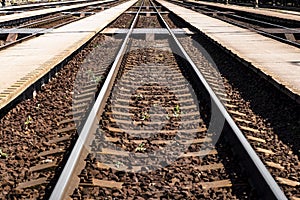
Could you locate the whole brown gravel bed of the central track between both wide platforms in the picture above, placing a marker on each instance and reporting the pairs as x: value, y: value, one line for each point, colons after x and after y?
x: 27, y: 129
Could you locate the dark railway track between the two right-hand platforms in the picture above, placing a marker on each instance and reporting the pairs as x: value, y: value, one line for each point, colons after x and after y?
x: 284, y: 31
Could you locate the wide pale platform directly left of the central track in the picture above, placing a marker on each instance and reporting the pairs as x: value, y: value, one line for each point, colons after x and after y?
x: 24, y: 63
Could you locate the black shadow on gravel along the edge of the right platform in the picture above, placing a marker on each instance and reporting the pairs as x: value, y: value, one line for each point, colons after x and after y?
x: 279, y: 111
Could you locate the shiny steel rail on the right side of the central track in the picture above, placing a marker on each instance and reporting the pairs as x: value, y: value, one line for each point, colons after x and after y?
x: 277, y: 192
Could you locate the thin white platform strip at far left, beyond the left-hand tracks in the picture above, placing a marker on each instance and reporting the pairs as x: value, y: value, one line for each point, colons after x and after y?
x: 28, y: 14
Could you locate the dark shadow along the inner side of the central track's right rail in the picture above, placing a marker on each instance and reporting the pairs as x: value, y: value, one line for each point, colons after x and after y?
x: 241, y: 187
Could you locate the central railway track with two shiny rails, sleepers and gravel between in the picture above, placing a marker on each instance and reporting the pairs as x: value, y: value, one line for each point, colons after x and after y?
x: 120, y: 153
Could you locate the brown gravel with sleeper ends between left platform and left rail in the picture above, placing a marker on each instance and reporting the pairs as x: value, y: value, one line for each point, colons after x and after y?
x: 45, y: 129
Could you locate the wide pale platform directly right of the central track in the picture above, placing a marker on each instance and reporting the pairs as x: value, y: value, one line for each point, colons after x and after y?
x: 278, y: 62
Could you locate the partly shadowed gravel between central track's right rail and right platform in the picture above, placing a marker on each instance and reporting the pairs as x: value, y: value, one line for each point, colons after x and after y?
x: 272, y: 114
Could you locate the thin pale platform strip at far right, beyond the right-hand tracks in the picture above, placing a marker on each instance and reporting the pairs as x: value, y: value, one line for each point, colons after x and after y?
x: 283, y: 14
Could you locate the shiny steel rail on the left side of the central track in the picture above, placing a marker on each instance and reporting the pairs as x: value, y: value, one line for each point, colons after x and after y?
x: 65, y: 177
